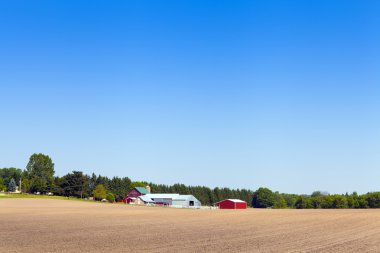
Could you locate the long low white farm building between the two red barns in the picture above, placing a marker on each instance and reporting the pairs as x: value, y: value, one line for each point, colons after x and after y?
x: 174, y: 200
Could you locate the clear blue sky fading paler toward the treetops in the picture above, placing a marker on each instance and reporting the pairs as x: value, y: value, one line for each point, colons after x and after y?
x: 282, y: 94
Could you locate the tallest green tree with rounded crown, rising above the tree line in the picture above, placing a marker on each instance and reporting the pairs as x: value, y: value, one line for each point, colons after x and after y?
x: 40, y: 170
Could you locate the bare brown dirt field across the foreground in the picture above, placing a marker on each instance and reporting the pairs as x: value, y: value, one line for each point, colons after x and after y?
x: 45, y: 225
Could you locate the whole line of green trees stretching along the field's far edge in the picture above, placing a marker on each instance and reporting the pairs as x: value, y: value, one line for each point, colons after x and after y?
x: 39, y: 176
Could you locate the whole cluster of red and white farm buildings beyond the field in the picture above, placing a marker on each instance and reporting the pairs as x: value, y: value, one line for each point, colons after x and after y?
x: 143, y: 196
